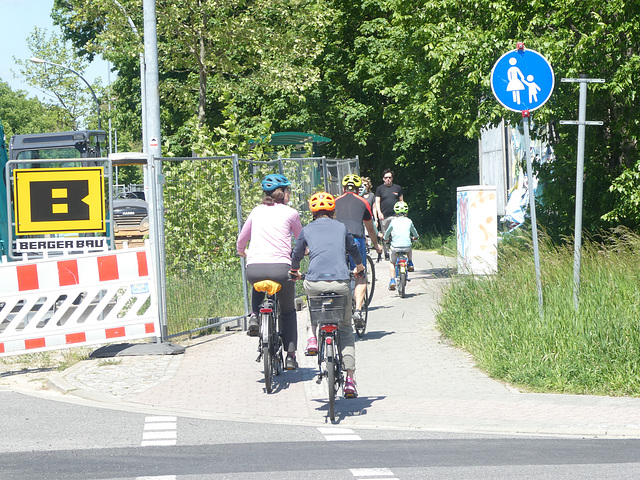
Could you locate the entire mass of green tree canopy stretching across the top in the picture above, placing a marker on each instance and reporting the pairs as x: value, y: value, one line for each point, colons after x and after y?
x: 402, y: 84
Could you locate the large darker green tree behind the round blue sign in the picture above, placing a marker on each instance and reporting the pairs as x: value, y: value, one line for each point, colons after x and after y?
x: 416, y: 73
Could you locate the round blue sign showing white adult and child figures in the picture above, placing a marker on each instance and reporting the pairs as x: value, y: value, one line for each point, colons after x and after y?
x: 522, y: 80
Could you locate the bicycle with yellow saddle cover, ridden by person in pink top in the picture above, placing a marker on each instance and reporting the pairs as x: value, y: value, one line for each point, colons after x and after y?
x: 270, y: 345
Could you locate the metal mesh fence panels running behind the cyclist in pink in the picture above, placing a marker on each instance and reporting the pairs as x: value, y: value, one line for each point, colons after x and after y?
x: 206, y: 200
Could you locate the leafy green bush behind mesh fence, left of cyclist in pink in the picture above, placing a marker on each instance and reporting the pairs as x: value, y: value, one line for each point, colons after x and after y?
x: 200, y: 219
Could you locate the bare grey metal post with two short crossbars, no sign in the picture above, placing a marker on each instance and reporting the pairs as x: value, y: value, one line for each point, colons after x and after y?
x: 582, y: 114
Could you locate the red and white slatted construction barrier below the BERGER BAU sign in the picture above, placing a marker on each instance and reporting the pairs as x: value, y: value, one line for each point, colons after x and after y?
x: 78, y: 300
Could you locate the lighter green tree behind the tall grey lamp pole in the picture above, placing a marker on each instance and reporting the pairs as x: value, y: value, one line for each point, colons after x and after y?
x: 205, y: 50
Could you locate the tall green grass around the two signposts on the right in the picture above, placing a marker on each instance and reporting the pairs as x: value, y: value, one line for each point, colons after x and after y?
x: 594, y: 350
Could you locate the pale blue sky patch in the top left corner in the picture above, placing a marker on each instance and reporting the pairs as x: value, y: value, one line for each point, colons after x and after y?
x: 19, y: 18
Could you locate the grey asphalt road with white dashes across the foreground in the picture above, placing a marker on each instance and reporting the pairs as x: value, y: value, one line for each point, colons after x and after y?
x: 47, y: 439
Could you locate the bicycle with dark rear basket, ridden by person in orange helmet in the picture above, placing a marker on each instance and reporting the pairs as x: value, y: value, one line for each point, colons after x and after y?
x: 327, y: 309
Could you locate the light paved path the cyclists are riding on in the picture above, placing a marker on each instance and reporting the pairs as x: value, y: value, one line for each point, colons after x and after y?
x: 407, y: 378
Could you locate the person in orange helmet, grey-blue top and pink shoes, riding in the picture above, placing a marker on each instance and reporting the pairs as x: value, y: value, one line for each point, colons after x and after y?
x: 328, y: 242
